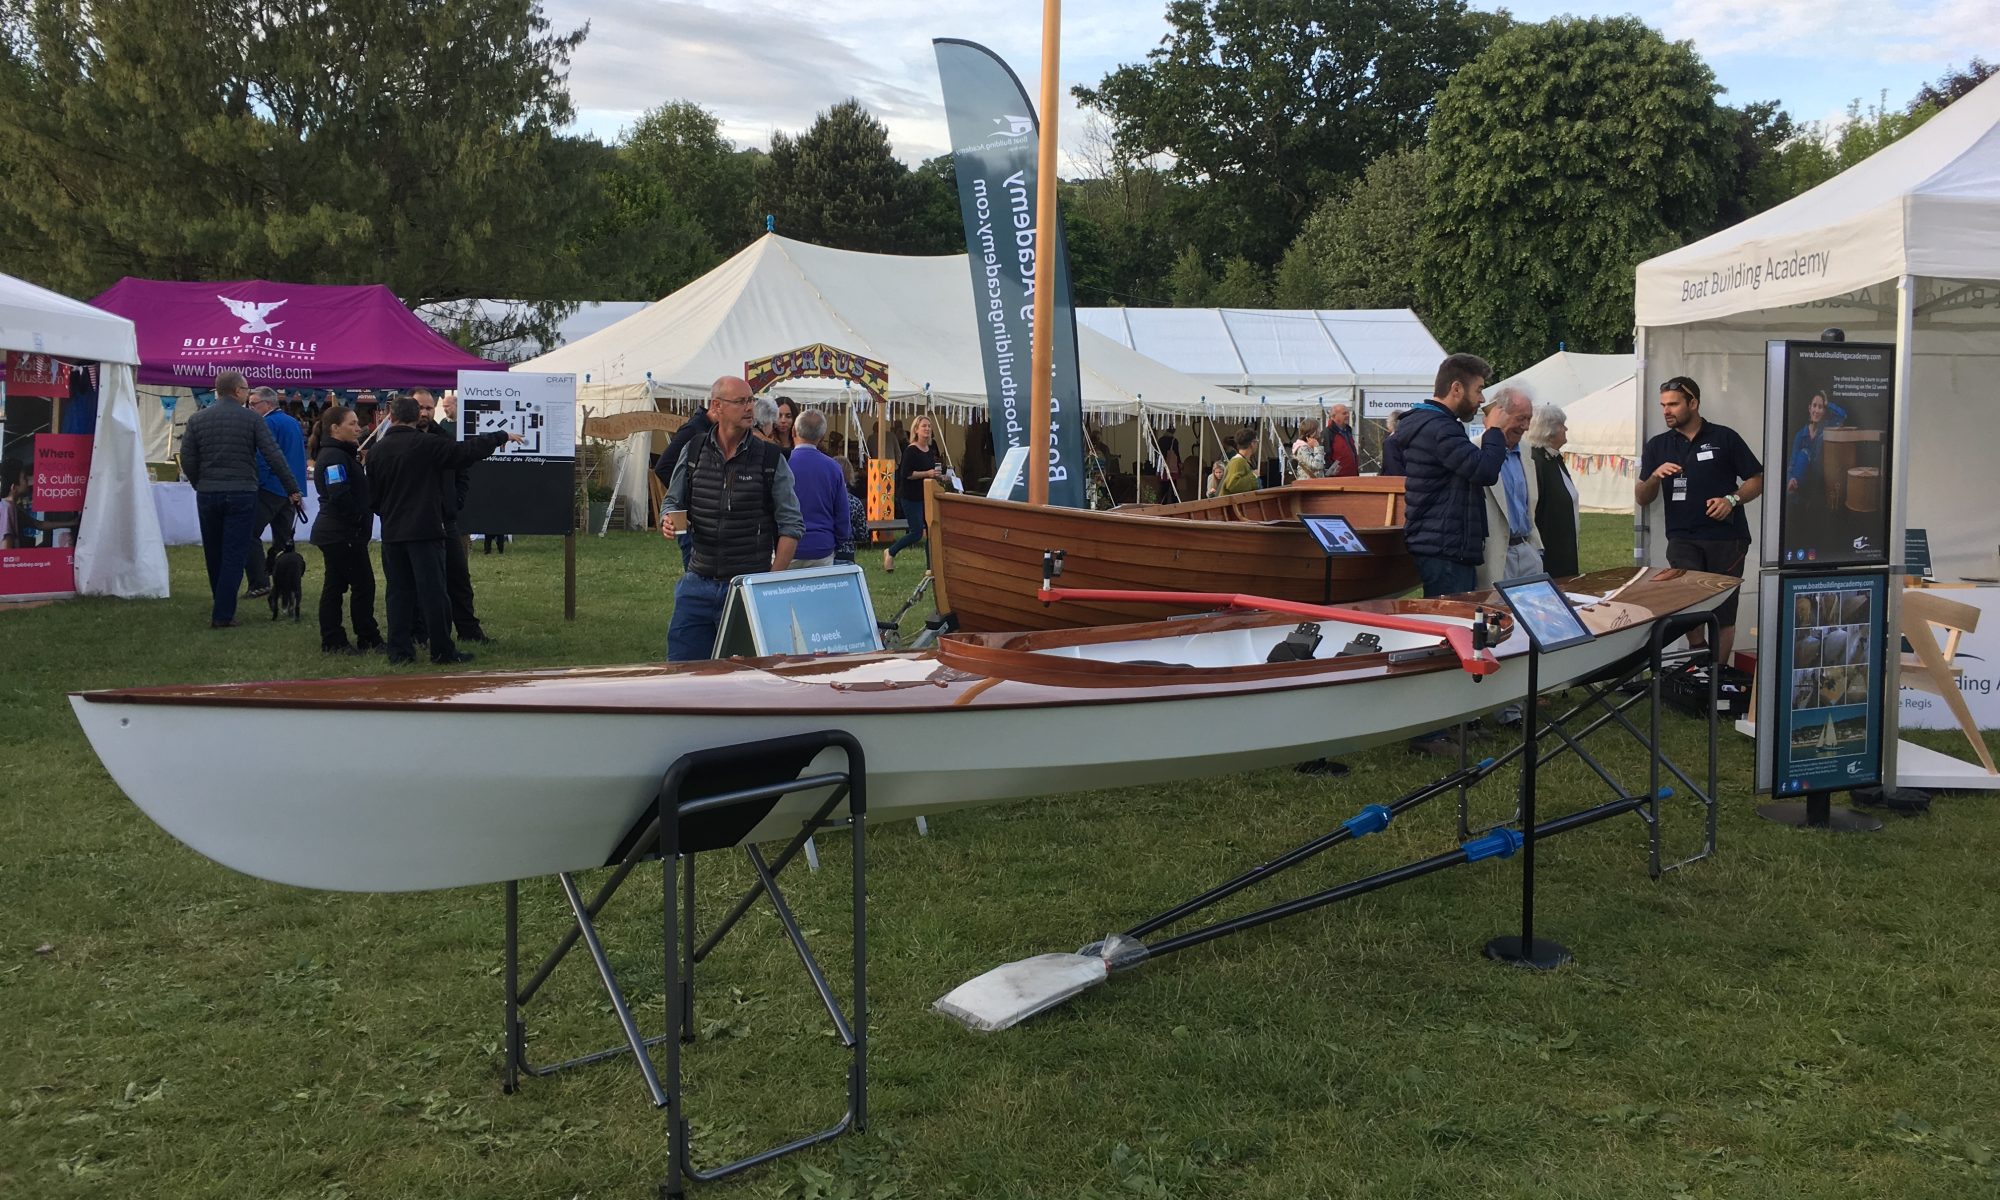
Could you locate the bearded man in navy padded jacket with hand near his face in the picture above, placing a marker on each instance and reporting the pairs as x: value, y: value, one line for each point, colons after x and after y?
x: 1447, y: 477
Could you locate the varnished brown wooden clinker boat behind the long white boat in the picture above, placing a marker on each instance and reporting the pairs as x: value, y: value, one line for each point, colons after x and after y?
x: 987, y: 555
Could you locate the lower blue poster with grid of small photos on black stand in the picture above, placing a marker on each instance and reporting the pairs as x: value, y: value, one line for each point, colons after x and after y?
x: 1827, y: 699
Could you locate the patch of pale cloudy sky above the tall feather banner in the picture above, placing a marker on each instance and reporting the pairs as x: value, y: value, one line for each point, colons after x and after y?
x: 775, y: 65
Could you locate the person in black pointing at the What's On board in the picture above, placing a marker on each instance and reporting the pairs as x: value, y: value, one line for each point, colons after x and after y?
x: 407, y: 479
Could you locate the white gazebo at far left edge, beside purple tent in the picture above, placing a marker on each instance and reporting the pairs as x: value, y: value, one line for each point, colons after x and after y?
x: 119, y: 547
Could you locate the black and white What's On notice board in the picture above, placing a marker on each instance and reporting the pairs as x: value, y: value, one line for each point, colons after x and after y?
x: 527, y: 487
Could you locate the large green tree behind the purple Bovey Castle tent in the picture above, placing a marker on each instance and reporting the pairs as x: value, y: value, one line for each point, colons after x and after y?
x: 313, y: 141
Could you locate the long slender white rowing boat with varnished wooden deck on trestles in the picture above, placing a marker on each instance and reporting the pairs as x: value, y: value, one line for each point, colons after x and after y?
x: 551, y: 769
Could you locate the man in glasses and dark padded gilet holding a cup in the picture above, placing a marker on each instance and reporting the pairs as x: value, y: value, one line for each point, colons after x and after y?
x: 737, y: 501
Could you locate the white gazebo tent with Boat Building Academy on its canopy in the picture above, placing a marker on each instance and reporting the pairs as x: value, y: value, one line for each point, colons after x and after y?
x: 1903, y: 249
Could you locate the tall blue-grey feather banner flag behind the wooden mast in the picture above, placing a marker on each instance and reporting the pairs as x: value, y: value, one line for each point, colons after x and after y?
x: 995, y: 151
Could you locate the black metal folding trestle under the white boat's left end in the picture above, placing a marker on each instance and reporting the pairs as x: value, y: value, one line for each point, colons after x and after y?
x: 711, y: 801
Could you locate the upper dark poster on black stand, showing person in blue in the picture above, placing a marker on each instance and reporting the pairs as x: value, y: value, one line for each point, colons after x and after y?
x: 1829, y: 453
